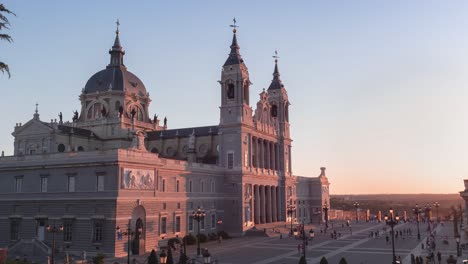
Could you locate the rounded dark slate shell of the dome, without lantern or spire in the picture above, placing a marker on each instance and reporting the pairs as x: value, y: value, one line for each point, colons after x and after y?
x: 115, y: 79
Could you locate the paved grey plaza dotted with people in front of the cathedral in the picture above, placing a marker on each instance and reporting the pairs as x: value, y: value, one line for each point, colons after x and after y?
x: 358, y: 247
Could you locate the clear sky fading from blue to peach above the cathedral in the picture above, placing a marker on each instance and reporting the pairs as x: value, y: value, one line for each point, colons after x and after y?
x: 378, y: 88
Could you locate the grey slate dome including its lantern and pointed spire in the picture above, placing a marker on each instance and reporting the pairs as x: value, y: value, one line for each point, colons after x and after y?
x: 115, y: 77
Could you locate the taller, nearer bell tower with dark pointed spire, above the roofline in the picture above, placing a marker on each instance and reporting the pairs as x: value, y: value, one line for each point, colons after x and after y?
x: 235, y: 86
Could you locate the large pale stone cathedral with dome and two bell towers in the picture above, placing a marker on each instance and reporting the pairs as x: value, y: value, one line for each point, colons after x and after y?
x: 115, y: 168
